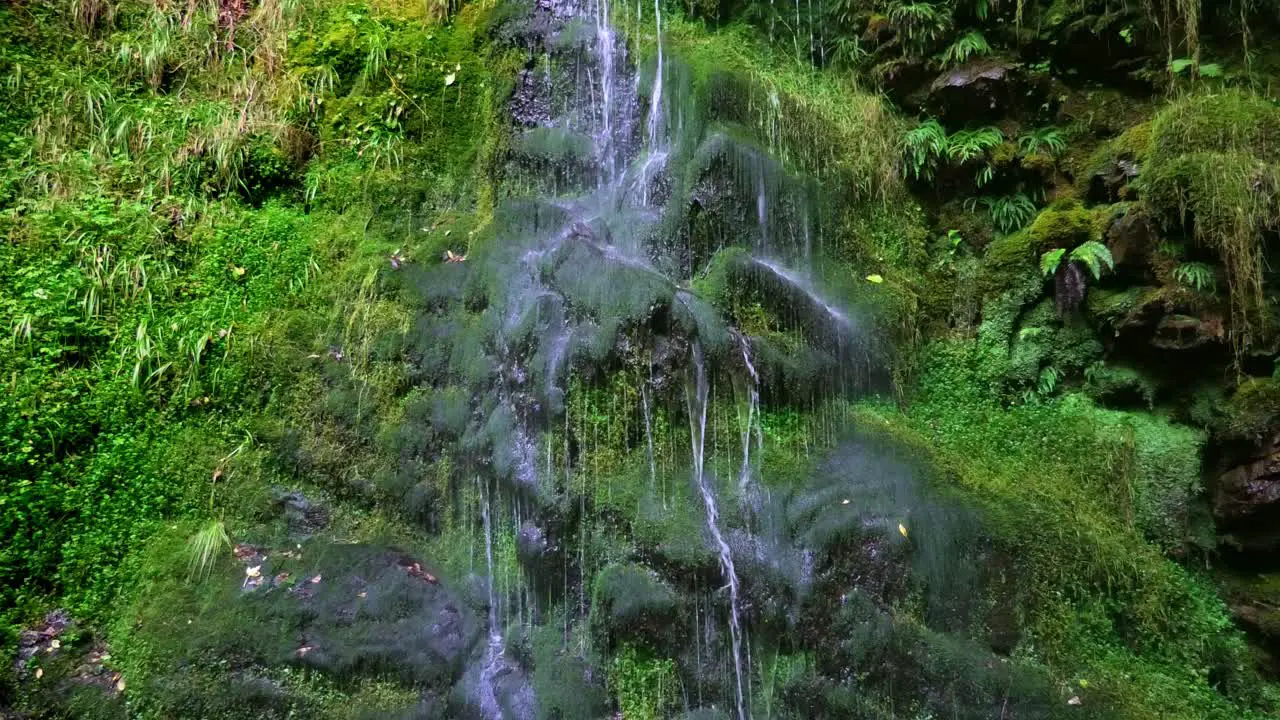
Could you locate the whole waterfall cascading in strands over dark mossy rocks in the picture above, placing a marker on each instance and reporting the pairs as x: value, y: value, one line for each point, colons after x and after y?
x: 595, y: 265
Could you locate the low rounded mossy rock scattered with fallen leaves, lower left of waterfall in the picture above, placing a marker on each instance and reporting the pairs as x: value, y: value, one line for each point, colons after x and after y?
x: 225, y: 646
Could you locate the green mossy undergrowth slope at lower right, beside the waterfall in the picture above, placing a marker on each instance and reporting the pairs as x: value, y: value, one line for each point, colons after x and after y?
x: 1072, y: 491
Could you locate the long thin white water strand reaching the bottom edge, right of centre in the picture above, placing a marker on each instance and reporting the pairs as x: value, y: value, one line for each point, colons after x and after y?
x: 697, y: 400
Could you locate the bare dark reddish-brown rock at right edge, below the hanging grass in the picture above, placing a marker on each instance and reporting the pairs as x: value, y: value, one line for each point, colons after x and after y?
x: 1247, y: 500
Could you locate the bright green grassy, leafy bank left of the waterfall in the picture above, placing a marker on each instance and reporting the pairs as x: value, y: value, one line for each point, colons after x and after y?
x: 196, y: 243
